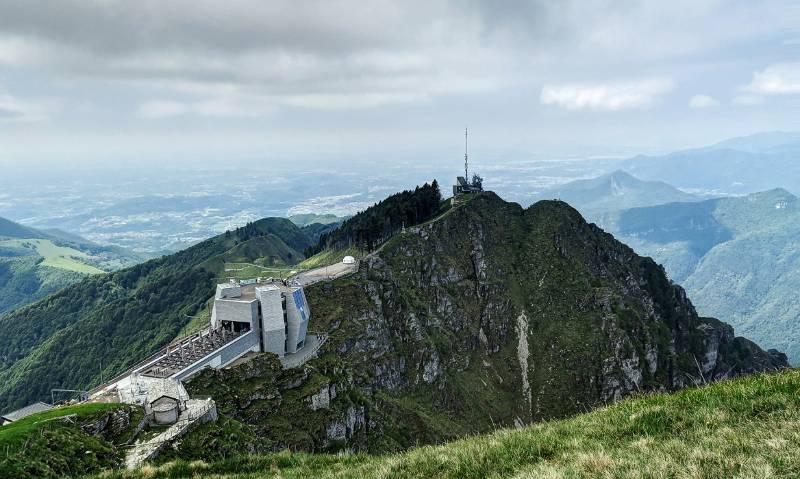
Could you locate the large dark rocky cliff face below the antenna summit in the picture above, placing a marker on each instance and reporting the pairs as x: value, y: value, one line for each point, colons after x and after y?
x: 492, y: 315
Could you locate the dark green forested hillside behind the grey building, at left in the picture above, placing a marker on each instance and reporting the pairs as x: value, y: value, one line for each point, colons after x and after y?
x: 115, y: 319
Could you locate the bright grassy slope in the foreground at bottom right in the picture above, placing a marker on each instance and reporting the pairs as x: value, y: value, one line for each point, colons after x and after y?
x: 746, y: 428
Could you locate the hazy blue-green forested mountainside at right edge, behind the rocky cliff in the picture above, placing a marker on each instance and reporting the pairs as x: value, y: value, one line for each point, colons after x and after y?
x: 739, y: 259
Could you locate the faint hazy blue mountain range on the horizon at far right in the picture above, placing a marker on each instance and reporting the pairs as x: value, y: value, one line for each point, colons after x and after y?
x: 735, y: 166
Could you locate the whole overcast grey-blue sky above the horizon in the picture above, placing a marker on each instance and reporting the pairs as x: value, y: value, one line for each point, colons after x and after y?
x: 131, y: 82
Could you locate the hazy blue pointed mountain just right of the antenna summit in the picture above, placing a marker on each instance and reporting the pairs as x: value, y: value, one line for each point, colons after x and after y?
x: 612, y: 192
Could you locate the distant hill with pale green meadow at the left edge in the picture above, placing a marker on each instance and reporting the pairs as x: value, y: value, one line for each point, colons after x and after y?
x: 35, y: 263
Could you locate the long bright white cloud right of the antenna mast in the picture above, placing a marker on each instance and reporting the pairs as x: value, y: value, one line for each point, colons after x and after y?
x: 608, y: 96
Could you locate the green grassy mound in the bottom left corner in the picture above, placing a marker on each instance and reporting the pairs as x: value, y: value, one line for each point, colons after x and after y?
x: 41, y: 445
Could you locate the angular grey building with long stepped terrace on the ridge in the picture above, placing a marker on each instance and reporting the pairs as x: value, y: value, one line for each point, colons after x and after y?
x: 247, y: 317
